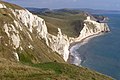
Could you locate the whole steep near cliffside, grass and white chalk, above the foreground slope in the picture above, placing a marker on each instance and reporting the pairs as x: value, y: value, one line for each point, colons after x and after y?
x: 23, y: 34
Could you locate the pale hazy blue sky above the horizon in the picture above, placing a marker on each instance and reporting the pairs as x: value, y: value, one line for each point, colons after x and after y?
x: 94, y: 4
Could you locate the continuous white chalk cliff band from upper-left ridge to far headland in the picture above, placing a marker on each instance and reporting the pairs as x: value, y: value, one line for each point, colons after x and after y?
x: 59, y: 43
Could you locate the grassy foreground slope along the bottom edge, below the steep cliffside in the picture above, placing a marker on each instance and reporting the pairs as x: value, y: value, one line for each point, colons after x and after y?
x: 46, y: 71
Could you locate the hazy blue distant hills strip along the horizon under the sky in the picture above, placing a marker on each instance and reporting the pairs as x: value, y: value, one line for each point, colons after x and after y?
x: 76, y: 10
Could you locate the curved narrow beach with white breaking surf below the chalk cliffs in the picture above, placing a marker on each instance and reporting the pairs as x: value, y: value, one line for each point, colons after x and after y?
x: 78, y: 58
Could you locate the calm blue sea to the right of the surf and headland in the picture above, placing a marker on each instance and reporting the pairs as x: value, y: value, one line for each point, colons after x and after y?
x: 103, y: 53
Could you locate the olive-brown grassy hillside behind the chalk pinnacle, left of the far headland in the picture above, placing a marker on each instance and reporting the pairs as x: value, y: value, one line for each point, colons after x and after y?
x: 69, y: 21
